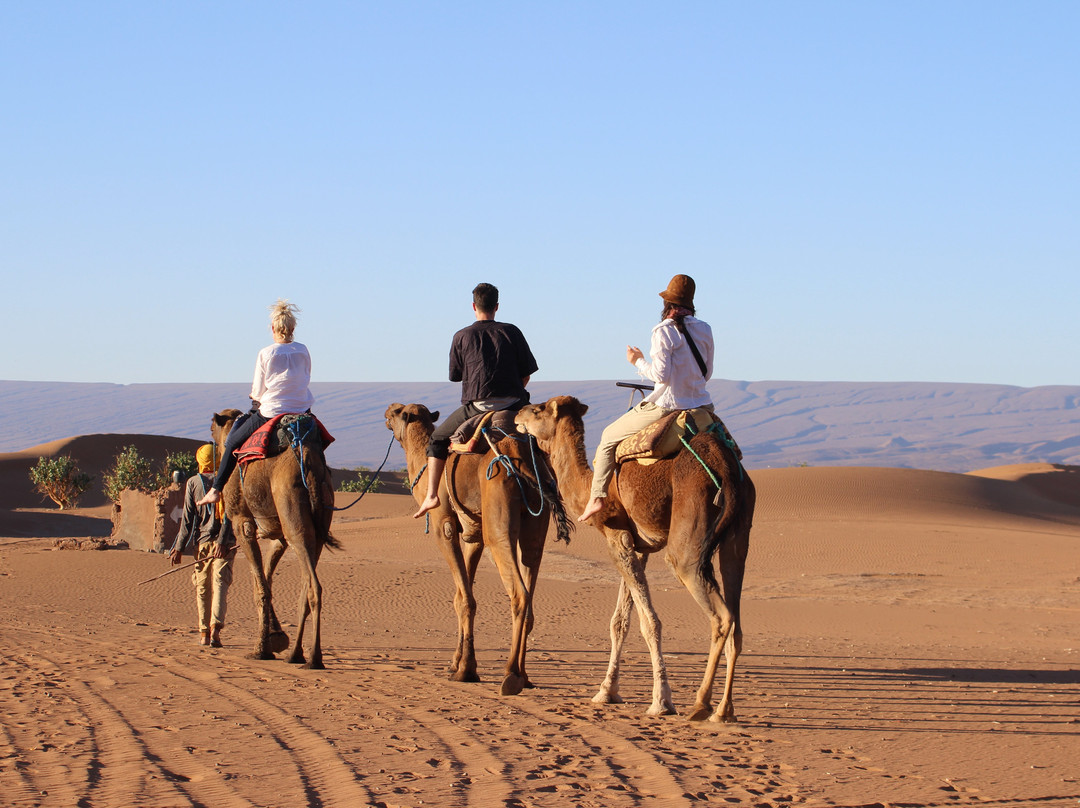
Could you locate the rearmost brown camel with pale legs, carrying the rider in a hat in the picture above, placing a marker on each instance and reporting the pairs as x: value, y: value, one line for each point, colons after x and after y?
x: 665, y: 506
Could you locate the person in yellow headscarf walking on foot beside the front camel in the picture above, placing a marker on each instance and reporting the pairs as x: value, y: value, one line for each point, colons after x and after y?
x: 208, y: 535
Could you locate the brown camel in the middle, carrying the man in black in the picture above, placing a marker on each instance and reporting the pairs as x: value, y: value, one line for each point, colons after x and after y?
x: 481, y: 506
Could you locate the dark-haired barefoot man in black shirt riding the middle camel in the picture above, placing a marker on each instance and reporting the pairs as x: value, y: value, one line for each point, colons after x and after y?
x: 494, y: 363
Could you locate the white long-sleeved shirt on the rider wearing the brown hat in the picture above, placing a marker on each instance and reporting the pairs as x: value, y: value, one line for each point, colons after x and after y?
x: 672, y: 368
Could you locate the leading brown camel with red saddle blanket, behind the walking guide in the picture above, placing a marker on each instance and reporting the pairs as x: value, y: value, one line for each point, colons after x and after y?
x: 272, y: 500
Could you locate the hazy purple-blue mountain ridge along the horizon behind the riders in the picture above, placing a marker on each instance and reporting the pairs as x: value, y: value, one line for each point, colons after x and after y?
x: 942, y: 427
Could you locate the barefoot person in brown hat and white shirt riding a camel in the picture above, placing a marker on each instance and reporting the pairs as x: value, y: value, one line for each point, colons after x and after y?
x: 680, y: 365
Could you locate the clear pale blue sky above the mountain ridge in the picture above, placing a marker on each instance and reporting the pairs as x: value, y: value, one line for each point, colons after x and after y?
x: 863, y: 191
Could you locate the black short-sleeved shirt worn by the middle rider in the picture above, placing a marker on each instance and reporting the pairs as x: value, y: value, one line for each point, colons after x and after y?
x: 491, y: 359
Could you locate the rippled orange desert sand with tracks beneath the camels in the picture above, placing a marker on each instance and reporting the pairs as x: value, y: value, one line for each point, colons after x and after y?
x: 912, y: 639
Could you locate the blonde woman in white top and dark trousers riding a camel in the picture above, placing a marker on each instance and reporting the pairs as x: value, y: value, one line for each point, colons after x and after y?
x: 282, y: 375
